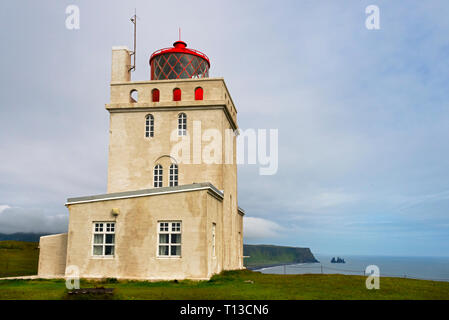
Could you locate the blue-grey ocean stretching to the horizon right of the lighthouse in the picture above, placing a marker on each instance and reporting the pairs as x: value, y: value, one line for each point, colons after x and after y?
x: 426, y: 268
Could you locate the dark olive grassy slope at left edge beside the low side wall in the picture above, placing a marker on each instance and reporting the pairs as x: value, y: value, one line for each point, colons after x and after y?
x: 18, y: 258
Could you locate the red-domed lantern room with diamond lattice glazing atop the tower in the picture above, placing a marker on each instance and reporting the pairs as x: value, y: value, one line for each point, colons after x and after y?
x: 179, y: 62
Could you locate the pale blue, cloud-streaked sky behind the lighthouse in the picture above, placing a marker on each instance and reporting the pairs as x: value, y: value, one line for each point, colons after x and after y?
x: 362, y: 115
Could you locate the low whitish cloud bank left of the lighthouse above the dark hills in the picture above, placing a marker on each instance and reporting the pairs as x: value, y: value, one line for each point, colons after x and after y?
x: 15, y: 219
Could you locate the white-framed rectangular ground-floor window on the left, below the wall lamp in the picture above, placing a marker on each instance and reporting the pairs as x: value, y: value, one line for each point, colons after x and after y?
x: 103, y: 239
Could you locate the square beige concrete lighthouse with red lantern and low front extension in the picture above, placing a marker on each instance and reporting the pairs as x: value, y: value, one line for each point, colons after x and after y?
x: 166, y: 215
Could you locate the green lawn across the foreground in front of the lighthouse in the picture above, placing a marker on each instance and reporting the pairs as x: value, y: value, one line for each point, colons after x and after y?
x: 237, y: 285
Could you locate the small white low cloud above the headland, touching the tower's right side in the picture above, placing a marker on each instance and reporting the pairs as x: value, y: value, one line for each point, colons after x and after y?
x: 260, y: 229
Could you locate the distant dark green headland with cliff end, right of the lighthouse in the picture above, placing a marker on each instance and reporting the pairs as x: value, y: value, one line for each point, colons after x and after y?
x: 269, y: 255
